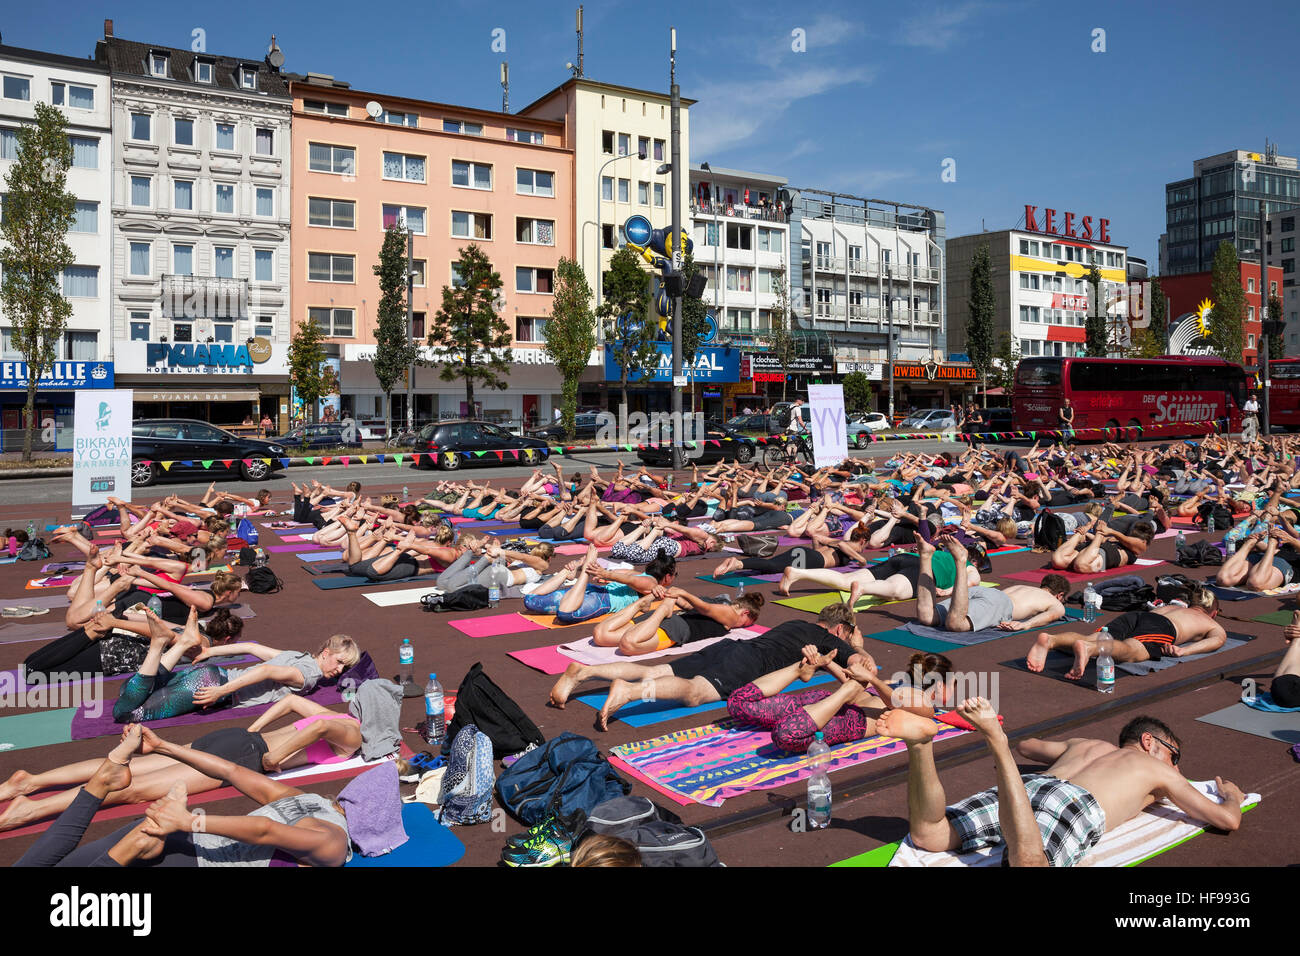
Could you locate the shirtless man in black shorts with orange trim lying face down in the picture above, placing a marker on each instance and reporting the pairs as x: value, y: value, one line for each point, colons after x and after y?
x: 1141, y: 635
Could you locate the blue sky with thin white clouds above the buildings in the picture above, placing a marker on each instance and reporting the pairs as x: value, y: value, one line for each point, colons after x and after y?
x: 873, y: 106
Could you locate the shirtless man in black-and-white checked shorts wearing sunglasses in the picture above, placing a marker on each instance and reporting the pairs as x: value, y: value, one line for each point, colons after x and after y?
x: 1055, y: 817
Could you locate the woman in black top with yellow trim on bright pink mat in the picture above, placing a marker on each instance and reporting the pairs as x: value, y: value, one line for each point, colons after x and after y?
x: 681, y: 620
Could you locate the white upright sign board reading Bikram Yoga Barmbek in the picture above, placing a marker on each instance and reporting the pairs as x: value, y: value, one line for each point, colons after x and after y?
x: 102, y: 447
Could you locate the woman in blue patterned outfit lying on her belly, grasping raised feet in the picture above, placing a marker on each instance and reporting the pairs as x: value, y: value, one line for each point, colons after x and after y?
x: 593, y: 591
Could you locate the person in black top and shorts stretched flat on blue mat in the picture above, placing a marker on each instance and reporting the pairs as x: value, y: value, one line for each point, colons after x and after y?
x: 717, y: 672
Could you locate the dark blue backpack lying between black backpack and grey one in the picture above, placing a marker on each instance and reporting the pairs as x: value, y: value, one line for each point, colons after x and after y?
x: 565, y: 776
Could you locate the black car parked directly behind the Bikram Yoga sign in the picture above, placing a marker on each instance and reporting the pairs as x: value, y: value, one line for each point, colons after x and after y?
x: 189, y: 443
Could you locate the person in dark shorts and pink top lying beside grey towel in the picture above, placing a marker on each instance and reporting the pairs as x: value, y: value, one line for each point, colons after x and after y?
x: 318, y: 737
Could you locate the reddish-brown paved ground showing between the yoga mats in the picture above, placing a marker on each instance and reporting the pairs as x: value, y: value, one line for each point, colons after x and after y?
x: 753, y: 829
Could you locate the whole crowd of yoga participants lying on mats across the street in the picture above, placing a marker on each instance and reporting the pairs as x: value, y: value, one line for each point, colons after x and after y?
x: 670, y: 582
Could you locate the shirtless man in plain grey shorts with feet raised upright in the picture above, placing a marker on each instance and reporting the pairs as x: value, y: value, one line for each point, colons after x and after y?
x: 1016, y: 608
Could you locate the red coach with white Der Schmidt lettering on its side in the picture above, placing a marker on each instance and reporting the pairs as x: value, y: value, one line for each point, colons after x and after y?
x: 1112, y: 393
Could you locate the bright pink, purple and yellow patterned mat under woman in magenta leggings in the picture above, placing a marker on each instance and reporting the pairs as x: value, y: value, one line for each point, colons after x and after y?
x: 708, y: 765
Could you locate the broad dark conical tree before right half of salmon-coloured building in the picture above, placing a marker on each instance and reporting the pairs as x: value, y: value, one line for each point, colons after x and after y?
x: 469, y: 336
